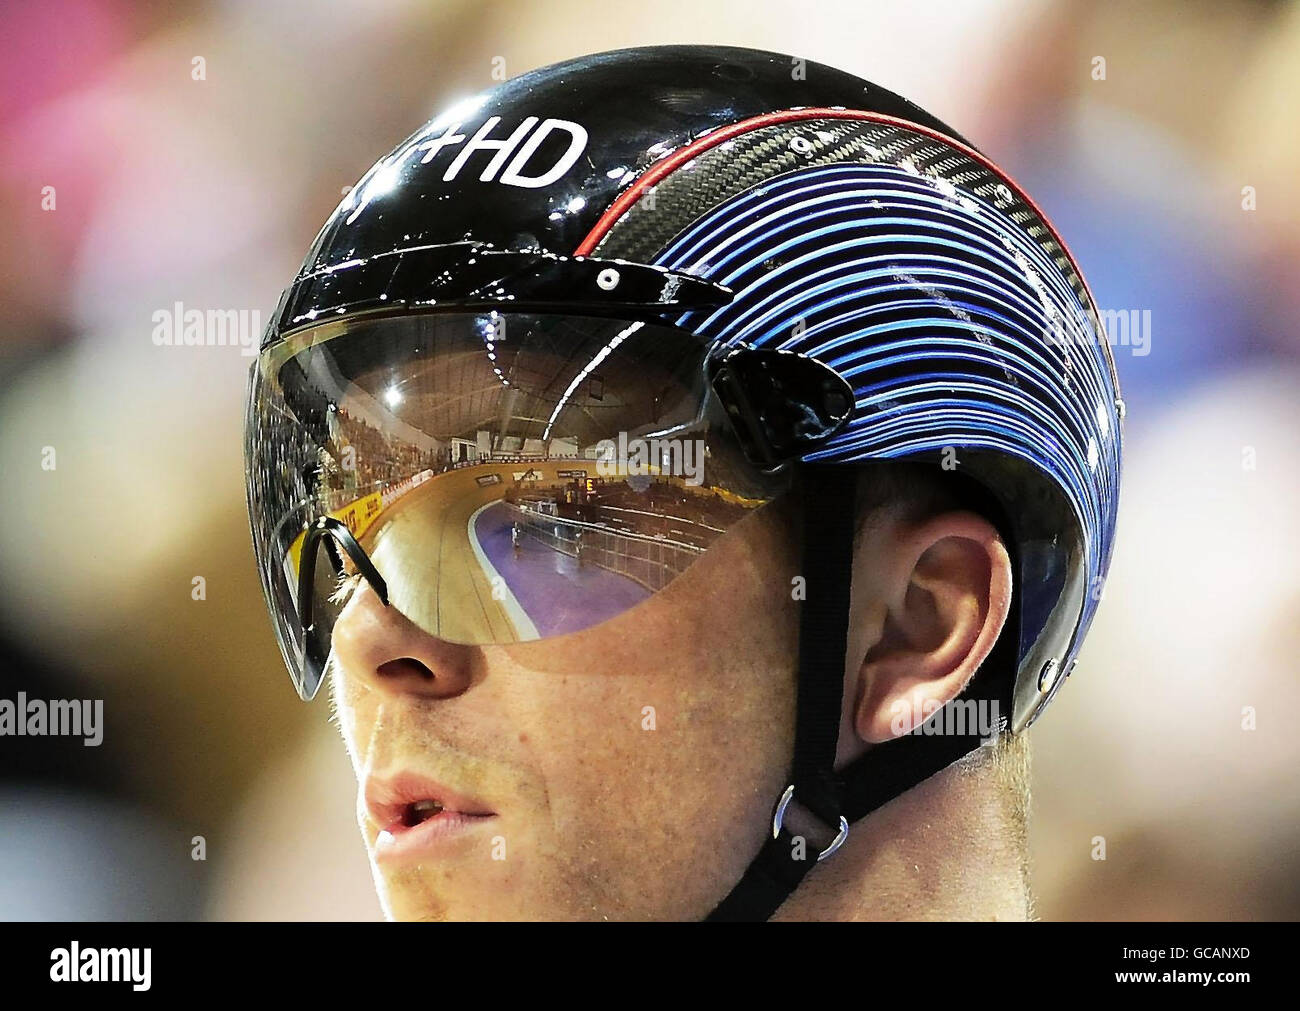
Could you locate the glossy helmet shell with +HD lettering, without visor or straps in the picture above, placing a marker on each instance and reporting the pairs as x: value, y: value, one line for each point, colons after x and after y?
x: 850, y: 225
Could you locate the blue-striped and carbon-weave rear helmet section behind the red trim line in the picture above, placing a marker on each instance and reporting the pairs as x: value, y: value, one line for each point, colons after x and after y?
x: 928, y: 280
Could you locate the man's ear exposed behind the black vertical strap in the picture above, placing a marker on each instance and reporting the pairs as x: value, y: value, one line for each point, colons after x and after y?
x: 941, y: 593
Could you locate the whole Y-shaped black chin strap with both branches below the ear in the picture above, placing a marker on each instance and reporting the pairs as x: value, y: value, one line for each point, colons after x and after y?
x: 881, y: 775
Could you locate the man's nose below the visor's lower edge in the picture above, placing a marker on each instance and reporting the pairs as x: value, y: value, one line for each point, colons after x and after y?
x: 384, y: 649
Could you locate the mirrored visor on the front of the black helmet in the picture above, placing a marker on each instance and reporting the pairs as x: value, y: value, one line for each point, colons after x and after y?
x: 497, y: 478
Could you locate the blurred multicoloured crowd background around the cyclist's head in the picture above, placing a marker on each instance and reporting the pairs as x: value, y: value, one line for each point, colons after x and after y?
x: 1162, y: 140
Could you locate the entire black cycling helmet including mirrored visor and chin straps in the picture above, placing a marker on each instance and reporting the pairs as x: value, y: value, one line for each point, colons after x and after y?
x: 577, y: 328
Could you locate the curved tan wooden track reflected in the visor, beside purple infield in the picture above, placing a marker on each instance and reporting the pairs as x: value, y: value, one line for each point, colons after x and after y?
x: 422, y: 546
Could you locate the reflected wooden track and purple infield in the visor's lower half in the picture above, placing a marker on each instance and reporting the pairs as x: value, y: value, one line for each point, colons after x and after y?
x: 512, y: 552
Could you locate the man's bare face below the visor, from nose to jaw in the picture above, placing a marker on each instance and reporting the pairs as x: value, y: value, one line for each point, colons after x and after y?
x: 621, y: 773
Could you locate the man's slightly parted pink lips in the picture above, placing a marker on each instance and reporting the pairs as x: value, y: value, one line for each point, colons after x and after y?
x: 418, y: 817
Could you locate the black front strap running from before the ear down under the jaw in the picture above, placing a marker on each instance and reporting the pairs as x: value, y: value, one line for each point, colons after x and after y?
x: 829, y: 528
